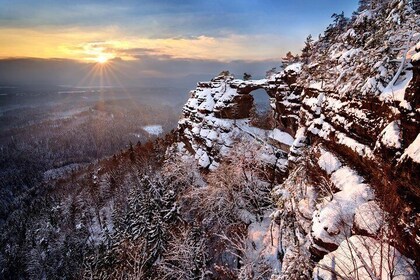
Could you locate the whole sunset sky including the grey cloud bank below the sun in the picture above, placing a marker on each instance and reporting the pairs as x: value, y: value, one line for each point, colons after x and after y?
x: 154, y: 38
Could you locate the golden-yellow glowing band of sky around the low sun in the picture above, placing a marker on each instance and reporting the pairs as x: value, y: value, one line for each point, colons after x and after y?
x: 88, y: 45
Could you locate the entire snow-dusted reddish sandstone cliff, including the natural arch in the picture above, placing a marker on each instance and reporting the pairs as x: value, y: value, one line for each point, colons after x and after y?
x: 353, y: 113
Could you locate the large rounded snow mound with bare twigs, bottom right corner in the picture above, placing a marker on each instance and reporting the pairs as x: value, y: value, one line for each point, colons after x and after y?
x: 362, y: 257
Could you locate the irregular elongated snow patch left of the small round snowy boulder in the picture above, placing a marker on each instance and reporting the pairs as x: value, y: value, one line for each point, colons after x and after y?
x: 333, y: 221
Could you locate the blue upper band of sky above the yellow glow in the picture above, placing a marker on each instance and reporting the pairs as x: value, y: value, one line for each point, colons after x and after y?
x: 164, y: 18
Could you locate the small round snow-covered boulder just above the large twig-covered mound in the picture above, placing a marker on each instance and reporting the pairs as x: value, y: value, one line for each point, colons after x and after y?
x: 369, y: 217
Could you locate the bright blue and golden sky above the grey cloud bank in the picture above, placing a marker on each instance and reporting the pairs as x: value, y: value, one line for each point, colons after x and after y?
x: 219, y: 30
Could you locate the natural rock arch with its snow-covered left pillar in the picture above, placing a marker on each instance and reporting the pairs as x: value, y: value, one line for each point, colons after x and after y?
x: 217, y: 109
